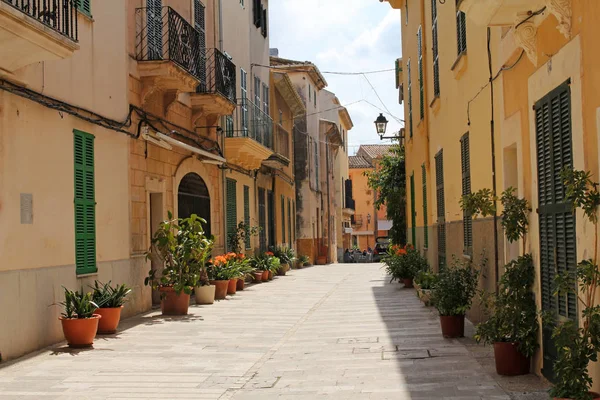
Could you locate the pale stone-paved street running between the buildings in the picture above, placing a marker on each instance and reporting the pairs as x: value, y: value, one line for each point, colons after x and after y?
x: 325, y: 332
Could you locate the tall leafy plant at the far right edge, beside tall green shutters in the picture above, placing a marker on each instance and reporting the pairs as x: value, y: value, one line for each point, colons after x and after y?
x: 578, y: 342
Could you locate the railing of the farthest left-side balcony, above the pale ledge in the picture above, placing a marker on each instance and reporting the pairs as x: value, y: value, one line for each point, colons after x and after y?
x: 251, y: 121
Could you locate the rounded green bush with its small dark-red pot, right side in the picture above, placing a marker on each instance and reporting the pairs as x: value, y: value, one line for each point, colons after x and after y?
x: 452, y: 296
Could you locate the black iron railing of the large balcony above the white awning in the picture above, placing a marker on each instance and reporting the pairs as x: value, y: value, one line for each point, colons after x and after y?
x: 163, y: 34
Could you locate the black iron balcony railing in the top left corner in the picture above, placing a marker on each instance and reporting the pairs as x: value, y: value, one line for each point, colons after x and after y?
x: 60, y: 15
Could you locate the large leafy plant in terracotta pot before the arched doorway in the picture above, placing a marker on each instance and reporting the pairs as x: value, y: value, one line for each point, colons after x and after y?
x: 183, y: 246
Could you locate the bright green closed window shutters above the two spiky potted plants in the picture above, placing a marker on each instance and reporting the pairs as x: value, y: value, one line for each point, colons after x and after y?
x: 85, y: 203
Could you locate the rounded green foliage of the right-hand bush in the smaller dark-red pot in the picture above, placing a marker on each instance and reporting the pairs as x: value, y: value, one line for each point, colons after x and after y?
x: 454, y: 291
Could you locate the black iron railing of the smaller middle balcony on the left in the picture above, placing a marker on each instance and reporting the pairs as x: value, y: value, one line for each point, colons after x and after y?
x: 217, y: 74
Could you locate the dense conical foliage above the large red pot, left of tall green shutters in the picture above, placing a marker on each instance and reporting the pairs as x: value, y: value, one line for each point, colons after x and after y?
x: 514, y: 316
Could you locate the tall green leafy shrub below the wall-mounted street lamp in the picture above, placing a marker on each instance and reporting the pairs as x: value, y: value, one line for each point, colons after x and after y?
x: 389, y: 182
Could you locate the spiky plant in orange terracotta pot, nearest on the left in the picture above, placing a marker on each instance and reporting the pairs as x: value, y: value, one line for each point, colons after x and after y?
x: 79, y: 322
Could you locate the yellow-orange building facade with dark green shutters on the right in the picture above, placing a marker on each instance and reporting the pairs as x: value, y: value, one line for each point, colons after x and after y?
x: 541, y: 109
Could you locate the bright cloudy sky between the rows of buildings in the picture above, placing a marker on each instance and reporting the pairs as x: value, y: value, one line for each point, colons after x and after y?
x: 346, y: 36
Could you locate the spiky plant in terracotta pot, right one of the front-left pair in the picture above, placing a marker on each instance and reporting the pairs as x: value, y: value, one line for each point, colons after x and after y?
x: 110, y: 302
